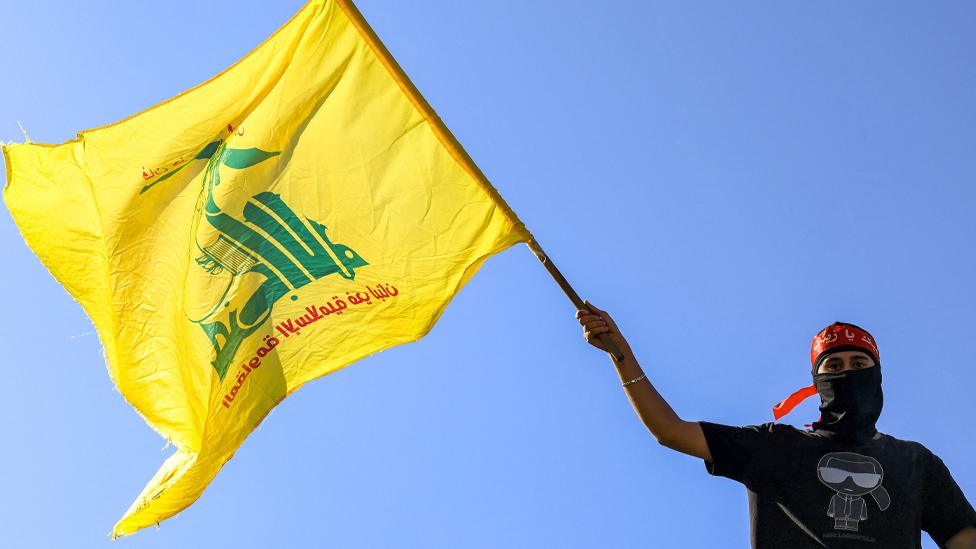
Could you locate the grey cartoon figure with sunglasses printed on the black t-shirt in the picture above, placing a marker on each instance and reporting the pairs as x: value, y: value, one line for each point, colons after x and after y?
x: 852, y: 476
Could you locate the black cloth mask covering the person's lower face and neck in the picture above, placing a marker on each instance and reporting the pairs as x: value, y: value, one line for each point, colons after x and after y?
x: 850, y: 402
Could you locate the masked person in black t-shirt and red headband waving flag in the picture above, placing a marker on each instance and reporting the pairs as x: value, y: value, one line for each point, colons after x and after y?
x: 841, y: 483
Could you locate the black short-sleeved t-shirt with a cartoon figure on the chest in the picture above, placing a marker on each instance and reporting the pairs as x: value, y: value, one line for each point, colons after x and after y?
x: 810, y: 490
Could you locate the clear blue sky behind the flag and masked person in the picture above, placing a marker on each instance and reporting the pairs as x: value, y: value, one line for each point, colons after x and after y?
x: 725, y: 178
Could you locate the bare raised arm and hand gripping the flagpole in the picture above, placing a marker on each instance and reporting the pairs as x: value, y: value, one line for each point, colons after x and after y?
x: 669, y: 429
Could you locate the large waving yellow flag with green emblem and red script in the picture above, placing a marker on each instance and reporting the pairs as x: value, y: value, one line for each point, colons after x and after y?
x: 301, y: 210
